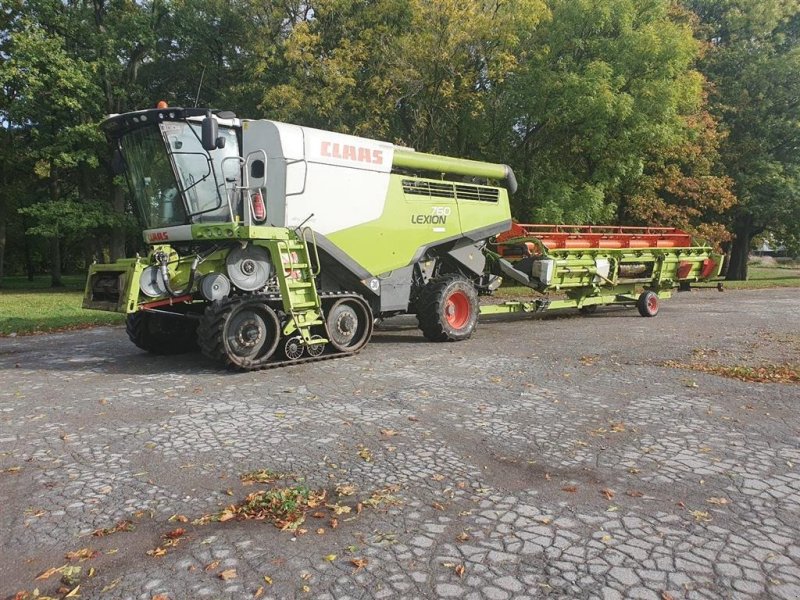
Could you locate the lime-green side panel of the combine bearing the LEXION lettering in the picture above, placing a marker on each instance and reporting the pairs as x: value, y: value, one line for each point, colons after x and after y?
x: 411, y: 222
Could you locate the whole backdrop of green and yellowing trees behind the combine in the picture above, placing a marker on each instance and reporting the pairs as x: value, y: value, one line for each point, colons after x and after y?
x: 629, y: 111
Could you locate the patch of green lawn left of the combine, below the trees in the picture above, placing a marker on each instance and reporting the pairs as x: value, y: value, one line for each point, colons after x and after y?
x: 34, y: 307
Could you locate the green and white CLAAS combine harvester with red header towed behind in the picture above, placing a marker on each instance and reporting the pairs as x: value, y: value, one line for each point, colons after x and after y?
x: 272, y: 243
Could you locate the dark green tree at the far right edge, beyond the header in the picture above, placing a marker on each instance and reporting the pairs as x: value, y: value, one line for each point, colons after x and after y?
x: 753, y: 60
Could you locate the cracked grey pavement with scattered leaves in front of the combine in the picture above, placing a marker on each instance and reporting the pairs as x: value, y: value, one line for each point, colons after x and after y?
x: 545, y: 457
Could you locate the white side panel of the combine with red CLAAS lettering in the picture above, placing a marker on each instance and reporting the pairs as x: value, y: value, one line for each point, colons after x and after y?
x: 341, y: 180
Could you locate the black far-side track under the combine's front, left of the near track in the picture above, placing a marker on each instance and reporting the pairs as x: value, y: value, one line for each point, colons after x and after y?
x: 162, y: 334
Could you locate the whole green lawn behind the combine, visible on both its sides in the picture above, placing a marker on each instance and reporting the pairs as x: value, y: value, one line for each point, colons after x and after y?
x: 28, y: 307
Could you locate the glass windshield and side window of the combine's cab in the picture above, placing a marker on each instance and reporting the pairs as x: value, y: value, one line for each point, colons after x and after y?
x: 173, y: 180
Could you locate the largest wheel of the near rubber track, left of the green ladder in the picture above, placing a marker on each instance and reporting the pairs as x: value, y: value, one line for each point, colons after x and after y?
x: 241, y: 334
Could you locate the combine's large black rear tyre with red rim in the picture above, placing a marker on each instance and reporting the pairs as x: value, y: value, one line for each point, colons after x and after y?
x: 447, y: 308
